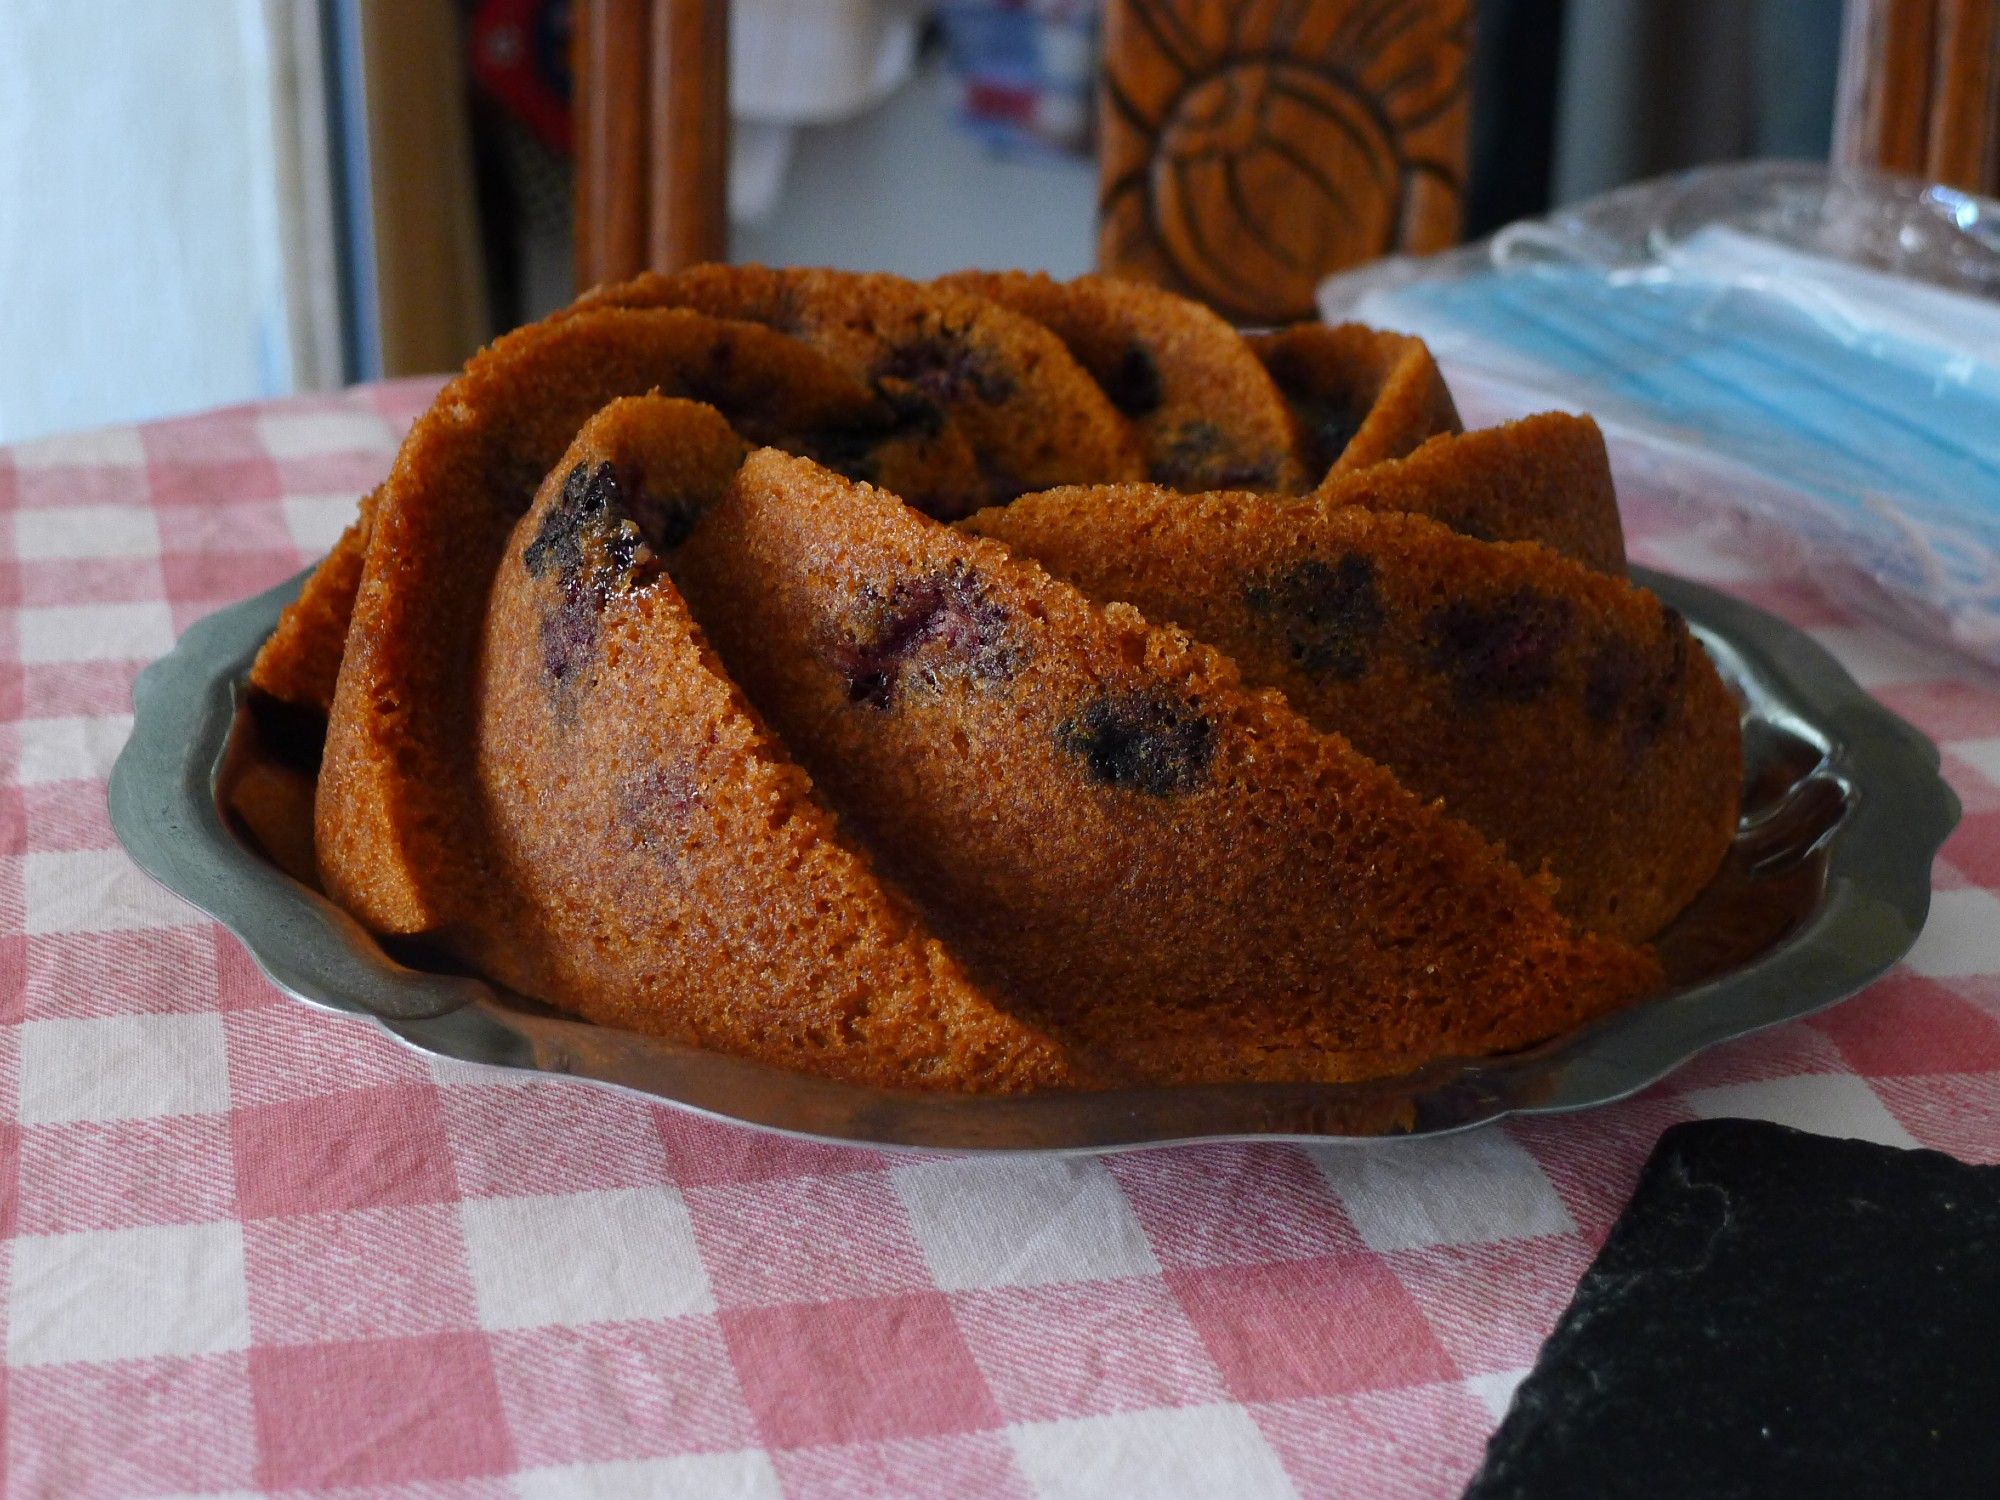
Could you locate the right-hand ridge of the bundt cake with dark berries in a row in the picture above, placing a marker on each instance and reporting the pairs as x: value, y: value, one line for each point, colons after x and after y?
x: 1565, y: 715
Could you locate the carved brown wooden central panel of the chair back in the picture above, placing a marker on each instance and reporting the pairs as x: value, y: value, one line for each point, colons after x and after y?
x: 1253, y: 147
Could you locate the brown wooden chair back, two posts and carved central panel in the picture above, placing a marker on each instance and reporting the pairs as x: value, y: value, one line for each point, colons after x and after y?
x: 1247, y: 147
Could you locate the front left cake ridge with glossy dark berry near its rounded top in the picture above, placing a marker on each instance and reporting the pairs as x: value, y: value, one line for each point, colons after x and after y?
x: 657, y: 859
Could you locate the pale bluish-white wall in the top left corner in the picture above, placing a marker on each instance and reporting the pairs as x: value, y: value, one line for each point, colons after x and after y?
x: 139, y: 231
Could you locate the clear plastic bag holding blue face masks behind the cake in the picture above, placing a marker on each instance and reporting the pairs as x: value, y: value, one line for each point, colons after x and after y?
x: 1813, y: 351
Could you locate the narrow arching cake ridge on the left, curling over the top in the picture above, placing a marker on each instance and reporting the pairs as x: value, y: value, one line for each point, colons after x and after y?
x: 393, y: 819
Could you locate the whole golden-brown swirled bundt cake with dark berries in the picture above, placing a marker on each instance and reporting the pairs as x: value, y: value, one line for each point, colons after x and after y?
x: 1005, y: 685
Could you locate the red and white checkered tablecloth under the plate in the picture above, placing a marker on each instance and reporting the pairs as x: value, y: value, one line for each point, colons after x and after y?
x: 251, y: 1247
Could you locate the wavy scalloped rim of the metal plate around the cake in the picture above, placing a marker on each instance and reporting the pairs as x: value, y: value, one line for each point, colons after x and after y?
x: 163, y: 807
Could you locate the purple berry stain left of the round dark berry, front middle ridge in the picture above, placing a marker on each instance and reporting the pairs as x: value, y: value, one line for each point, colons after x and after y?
x: 923, y: 633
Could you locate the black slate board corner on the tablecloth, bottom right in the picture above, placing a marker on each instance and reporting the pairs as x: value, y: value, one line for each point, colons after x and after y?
x: 1773, y: 1315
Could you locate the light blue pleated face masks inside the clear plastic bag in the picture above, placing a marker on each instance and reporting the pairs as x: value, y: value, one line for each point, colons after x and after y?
x: 1871, y: 405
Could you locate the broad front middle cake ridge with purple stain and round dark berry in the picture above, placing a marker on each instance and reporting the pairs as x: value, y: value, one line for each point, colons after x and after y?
x: 1179, y: 875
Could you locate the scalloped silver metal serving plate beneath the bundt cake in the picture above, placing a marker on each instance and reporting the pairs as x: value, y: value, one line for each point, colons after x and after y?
x: 1827, y: 887
